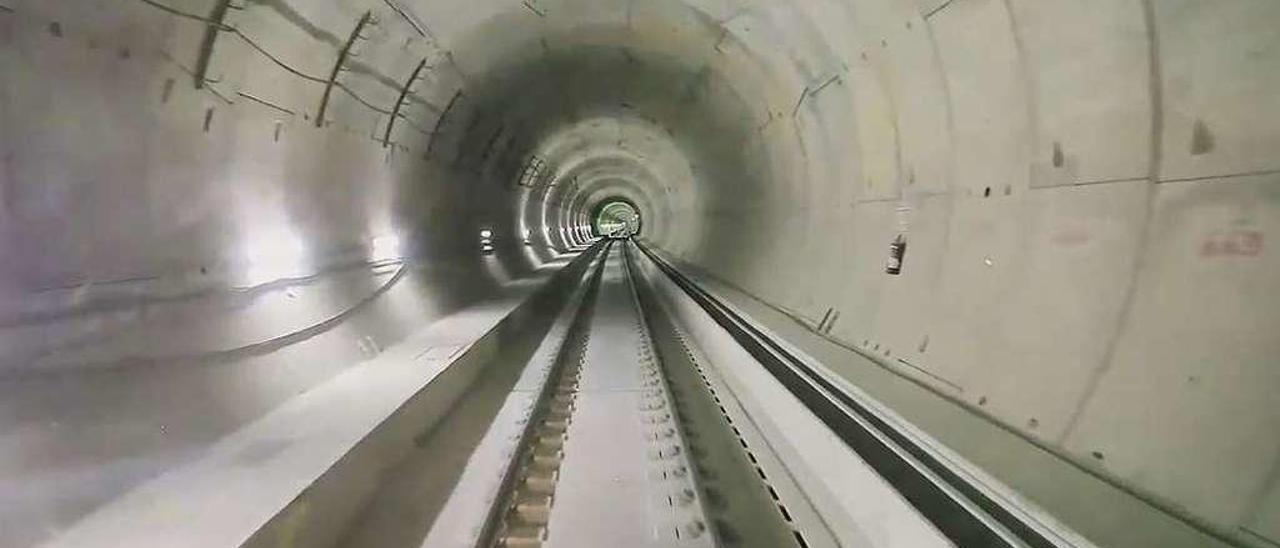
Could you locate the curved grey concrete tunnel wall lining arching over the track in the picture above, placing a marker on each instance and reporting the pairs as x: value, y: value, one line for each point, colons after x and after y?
x: 1089, y: 191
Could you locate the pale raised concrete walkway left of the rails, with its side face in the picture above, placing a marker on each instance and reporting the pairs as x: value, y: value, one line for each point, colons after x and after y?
x: 298, y: 474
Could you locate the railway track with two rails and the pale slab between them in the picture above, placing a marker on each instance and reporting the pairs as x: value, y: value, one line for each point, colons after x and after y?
x: 629, y: 449
